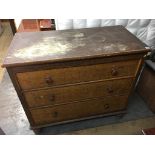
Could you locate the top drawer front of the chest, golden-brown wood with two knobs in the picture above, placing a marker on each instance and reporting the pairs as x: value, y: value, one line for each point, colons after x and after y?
x: 53, y: 77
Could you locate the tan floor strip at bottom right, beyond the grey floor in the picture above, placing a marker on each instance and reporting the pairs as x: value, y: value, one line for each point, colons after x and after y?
x: 125, y: 128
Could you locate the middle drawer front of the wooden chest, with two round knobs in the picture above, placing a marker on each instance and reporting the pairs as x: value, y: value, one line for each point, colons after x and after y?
x: 78, y: 92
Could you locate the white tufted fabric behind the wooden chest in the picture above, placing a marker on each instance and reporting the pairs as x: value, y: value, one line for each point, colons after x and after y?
x: 144, y: 29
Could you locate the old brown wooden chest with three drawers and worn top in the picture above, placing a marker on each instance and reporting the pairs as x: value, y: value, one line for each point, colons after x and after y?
x: 69, y: 75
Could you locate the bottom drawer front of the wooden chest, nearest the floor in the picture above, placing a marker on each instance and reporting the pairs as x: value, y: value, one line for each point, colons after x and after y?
x: 78, y: 110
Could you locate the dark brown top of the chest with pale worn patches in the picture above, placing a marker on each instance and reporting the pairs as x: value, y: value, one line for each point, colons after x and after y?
x: 29, y: 48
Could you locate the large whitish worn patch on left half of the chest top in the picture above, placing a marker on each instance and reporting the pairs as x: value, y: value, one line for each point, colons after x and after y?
x: 49, y: 46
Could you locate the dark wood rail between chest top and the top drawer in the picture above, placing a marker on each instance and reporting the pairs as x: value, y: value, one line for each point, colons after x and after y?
x: 73, y: 63
